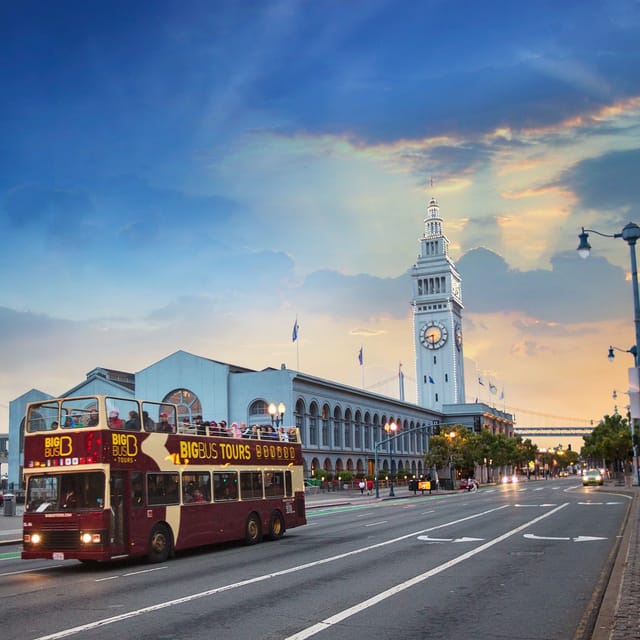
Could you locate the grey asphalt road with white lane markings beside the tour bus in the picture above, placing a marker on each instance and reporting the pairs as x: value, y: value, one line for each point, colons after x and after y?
x: 523, y: 561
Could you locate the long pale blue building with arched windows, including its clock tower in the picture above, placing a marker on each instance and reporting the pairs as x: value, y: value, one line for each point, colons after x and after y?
x: 342, y: 427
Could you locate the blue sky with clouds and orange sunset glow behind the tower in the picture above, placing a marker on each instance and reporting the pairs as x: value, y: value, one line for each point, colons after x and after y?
x: 197, y: 175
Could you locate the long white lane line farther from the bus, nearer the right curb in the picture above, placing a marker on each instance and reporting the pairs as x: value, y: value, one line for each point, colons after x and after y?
x: 327, y: 623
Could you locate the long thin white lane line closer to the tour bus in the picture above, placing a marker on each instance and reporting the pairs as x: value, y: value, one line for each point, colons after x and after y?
x: 65, y: 633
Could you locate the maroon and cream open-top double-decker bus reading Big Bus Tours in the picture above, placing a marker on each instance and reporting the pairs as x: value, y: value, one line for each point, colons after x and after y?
x: 109, y: 478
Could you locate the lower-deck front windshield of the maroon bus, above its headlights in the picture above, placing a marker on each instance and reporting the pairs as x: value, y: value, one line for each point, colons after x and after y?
x: 65, y: 492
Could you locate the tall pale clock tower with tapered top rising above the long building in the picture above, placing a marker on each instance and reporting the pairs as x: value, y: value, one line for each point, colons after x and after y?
x: 437, y: 318
